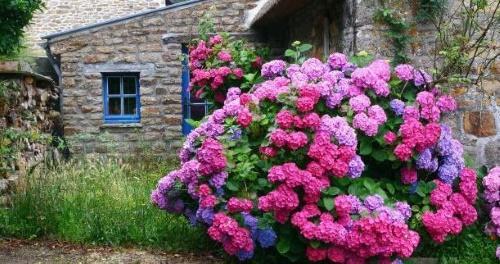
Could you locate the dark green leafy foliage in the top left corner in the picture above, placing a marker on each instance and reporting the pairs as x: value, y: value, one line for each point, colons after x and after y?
x: 14, y: 16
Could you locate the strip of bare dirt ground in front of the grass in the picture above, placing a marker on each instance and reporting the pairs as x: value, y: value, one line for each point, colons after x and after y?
x: 24, y: 252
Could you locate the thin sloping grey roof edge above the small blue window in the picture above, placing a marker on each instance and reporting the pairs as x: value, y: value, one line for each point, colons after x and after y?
x: 172, y: 7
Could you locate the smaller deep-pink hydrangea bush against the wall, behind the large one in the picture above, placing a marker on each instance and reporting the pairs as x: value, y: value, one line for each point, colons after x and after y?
x: 218, y: 63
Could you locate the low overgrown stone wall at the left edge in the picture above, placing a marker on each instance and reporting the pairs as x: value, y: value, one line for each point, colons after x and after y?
x: 28, y: 121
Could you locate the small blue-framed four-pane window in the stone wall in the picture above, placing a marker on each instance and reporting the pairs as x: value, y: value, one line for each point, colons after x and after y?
x: 122, y: 102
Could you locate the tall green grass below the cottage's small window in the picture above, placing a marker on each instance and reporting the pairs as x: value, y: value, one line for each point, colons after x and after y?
x: 100, y: 202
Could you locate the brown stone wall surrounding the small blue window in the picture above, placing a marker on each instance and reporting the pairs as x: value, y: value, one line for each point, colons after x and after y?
x: 133, y: 45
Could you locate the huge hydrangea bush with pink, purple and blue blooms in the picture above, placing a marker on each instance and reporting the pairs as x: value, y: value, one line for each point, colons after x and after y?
x: 325, y: 161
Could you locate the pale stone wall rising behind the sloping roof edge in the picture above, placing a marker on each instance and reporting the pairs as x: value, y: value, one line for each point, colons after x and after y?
x: 61, y: 15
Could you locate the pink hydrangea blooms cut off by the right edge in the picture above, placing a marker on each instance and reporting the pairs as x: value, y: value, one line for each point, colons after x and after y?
x: 491, y: 184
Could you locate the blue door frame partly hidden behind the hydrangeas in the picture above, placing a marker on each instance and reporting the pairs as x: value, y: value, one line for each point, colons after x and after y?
x: 192, y: 108
